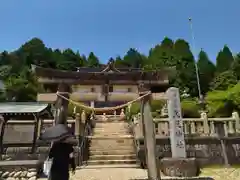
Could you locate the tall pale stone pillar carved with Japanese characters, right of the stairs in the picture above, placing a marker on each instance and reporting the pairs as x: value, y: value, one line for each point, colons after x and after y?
x: 178, y: 146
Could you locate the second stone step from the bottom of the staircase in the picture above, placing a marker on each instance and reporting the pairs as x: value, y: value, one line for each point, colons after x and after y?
x: 101, y: 162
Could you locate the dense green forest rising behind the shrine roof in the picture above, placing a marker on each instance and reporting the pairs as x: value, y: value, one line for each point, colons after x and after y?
x: 218, y: 81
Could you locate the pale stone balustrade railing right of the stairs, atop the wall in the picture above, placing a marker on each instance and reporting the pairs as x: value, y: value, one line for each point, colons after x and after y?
x: 202, y: 126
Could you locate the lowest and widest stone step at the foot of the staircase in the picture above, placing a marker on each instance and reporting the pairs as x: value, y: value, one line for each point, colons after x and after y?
x: 110, y: 166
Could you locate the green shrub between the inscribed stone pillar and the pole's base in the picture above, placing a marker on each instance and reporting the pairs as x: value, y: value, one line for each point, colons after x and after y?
x: 190, y: 108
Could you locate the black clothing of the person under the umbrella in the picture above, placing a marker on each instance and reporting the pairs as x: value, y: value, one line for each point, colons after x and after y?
x: 60, y: 166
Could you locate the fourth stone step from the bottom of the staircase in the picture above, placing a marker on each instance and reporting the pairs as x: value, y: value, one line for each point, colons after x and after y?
x: 111, y: 152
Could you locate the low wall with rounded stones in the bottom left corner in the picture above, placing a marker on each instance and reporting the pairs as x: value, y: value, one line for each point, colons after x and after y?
x: 19, y: 170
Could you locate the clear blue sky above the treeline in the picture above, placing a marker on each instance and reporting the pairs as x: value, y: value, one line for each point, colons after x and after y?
x: 110, y: 27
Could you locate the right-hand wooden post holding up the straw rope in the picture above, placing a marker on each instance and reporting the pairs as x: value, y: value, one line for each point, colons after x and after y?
x: 149, y: 140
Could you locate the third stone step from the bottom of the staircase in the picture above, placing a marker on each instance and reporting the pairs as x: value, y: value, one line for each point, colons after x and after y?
x: 113, y: 157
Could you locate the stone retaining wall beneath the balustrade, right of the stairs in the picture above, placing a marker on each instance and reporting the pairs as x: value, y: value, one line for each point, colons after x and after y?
x: 207, y: 150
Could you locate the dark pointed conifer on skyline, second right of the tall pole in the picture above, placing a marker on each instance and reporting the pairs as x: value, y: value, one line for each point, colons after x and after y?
x: 224, y: 60
